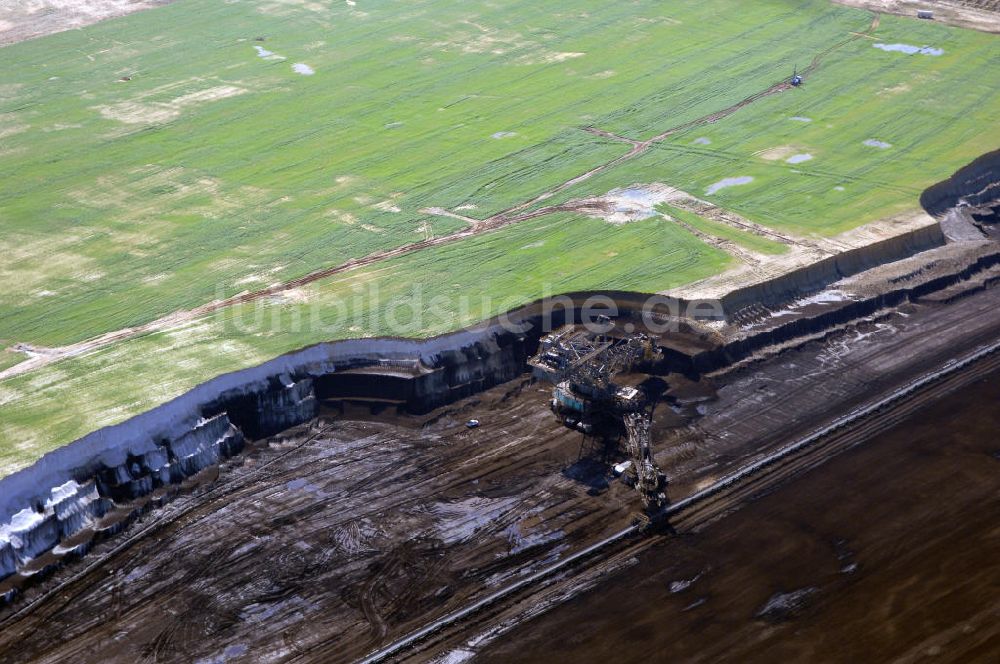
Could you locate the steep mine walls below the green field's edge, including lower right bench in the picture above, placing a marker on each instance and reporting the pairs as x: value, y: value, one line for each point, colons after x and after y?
x: 74, y: 486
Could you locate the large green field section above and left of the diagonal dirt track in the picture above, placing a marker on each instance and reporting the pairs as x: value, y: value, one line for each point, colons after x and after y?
x: 214, y: 170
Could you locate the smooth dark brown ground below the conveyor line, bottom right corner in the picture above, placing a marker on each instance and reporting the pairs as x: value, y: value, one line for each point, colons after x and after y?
x: 888, y: 553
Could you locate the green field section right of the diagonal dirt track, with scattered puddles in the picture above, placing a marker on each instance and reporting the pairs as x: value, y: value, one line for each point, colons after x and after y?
x: 932, y: 111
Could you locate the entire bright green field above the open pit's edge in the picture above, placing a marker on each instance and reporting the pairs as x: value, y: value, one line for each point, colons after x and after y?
x: 213, y: 170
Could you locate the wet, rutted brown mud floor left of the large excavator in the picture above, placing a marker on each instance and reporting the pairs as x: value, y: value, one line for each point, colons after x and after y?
x: 347, y: 530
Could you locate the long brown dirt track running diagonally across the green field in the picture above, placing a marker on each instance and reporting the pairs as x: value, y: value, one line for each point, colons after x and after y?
x: 41, y: 356
